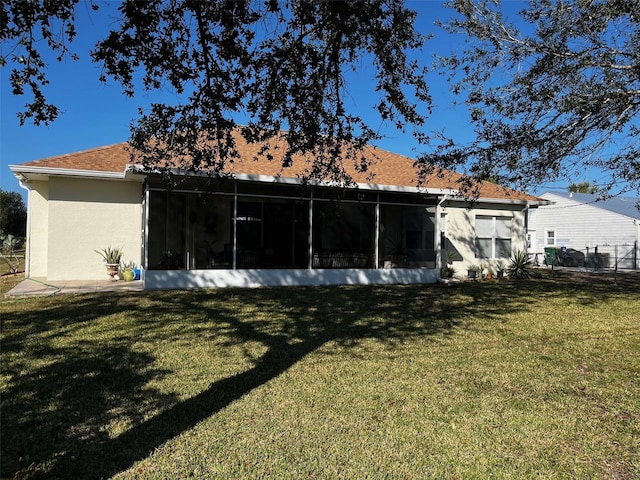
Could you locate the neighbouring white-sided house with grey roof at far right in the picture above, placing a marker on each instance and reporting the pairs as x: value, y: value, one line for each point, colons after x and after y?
x: 581, y: 222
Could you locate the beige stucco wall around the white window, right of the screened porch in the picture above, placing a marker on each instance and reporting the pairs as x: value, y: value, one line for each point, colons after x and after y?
x: 460, y: 230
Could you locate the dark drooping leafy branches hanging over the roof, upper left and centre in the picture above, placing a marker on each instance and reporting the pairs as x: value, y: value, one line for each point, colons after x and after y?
x: 283, y: 64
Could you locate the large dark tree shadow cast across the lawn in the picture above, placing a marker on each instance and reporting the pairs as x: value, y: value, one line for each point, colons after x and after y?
x: 55, y: 417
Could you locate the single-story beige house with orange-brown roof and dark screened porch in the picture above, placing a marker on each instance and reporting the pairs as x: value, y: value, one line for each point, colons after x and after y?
x: 261, y: 226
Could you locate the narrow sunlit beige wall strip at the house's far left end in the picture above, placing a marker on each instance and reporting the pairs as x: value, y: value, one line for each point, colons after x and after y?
x: 38, y: 224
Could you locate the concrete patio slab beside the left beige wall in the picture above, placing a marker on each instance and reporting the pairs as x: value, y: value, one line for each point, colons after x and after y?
x: 33, y: 287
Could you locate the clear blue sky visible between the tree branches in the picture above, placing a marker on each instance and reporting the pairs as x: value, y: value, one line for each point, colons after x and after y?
x: 96, y: 114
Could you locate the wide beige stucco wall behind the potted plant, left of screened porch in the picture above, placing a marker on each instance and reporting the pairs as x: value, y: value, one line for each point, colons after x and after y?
x: 88, y: 215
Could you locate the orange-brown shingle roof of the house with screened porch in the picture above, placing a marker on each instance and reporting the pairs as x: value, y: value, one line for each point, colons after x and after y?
x: 387, y: 170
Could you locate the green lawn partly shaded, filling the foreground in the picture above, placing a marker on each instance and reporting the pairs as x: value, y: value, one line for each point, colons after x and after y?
x: 532, y: 379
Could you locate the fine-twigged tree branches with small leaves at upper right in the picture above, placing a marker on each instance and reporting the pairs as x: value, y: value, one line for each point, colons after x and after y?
x: 550, y: 96
